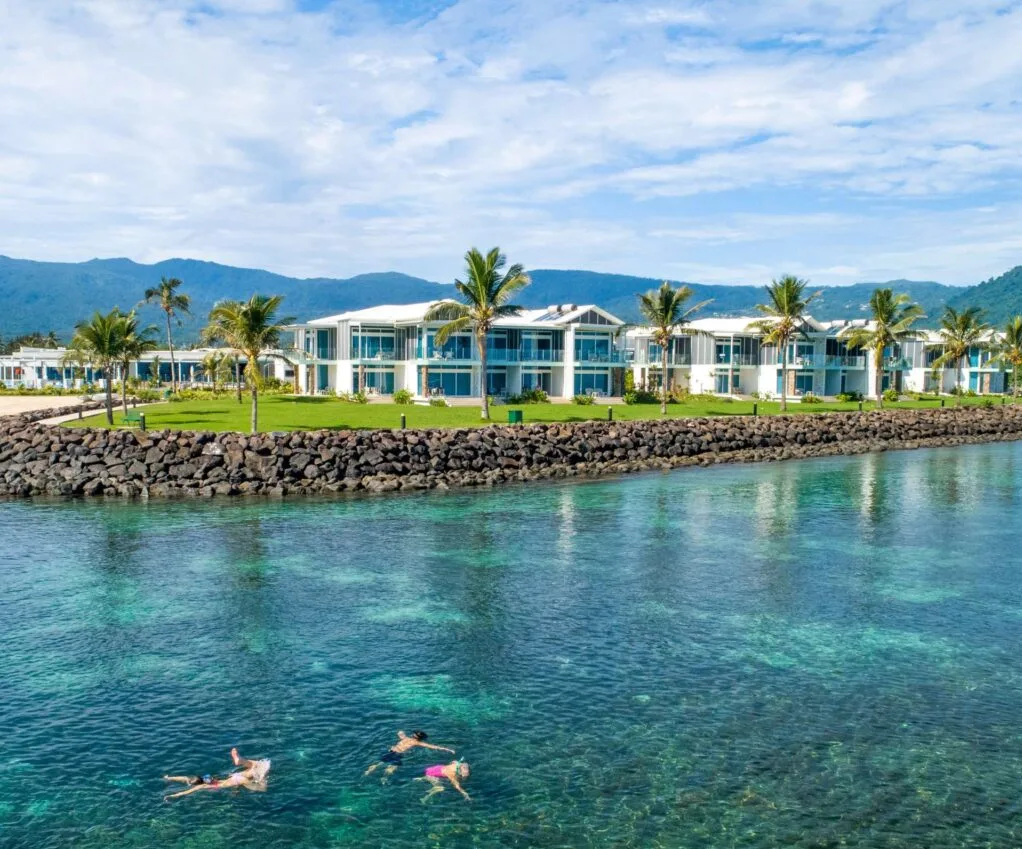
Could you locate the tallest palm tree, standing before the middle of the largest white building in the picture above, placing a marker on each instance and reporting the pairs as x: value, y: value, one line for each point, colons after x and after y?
x: 487, y: 294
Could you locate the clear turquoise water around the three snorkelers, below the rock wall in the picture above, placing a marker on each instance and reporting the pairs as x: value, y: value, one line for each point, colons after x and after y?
x: 810, y: 654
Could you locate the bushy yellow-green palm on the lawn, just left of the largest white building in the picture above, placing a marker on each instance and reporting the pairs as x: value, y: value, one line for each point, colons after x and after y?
x: 253, y: 329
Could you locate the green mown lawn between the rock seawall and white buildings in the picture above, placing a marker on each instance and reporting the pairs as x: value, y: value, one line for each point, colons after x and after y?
x: 302, y: 413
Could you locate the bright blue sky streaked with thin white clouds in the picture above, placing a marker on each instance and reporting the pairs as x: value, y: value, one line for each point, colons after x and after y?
x: 718, y: 141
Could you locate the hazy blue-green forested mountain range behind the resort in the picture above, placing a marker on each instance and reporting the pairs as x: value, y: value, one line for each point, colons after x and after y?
x: 42, y: 297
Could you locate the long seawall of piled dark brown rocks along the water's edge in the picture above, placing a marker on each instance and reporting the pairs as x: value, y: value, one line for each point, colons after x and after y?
x: 37, y: 459
